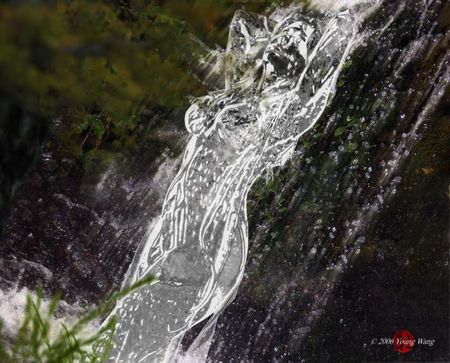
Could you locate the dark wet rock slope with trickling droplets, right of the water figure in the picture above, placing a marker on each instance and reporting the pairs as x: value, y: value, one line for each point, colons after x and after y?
x: 350, y: 241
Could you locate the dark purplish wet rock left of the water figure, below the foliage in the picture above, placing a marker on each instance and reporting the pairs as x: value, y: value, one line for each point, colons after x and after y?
x: 76, y: 227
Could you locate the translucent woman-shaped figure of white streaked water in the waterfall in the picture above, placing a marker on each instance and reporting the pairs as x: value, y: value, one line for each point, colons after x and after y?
x: 279, y: 73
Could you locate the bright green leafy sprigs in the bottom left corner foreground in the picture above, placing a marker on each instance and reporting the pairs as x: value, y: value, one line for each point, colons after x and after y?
x: 35, y: 343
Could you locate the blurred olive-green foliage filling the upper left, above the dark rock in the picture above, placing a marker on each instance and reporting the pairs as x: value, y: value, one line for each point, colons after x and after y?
x: 99, y: 65
